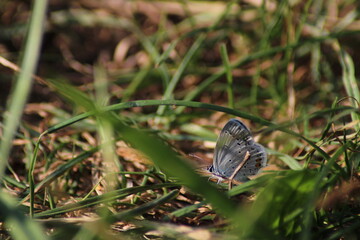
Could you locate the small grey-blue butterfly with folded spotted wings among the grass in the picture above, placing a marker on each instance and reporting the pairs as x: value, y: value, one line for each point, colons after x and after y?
x: 237, y: 155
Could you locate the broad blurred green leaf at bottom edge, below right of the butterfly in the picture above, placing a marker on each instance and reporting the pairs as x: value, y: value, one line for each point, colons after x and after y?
x: 278, y: 207
